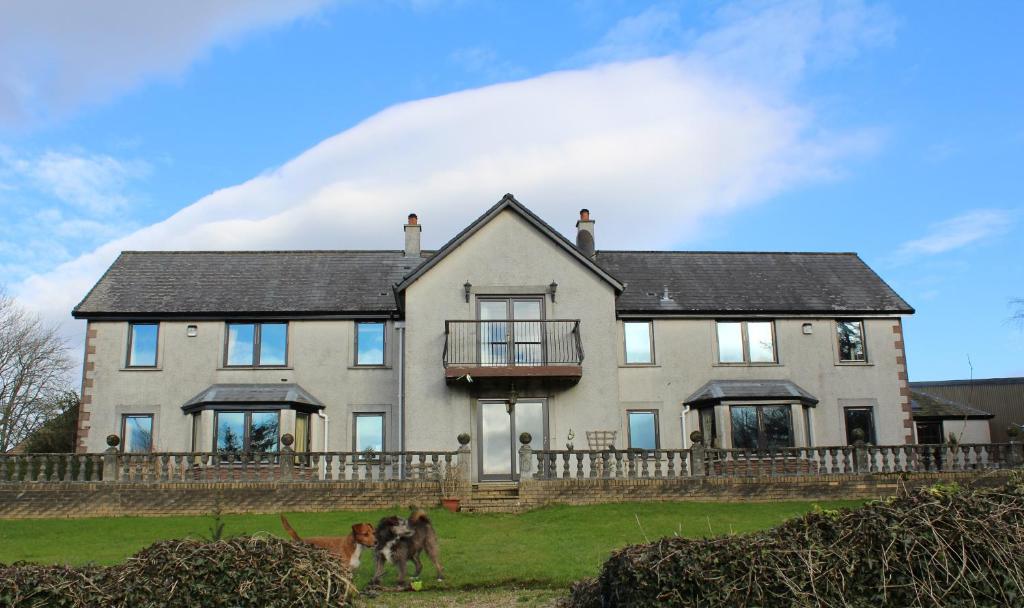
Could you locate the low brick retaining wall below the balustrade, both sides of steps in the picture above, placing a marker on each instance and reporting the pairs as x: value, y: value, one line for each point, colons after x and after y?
x: 72, y: 500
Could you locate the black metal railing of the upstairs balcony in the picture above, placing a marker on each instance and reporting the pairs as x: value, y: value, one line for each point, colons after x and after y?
x: 513, y: 343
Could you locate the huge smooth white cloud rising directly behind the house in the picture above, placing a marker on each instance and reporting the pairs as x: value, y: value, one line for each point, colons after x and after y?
x: 655, y: 148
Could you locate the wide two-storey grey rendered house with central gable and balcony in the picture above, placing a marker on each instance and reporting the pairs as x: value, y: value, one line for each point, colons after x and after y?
x: 509, y: 328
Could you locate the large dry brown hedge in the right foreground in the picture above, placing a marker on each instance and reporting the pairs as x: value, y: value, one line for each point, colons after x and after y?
x: 937, y: 547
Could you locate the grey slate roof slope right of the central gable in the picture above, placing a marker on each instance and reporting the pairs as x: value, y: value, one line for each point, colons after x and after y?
x: 749, y: 283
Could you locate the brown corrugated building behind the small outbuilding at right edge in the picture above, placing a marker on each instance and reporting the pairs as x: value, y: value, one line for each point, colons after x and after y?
x: 1003, y: 398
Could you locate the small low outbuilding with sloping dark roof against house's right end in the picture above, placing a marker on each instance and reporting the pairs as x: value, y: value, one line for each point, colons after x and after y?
x: 937, y: 419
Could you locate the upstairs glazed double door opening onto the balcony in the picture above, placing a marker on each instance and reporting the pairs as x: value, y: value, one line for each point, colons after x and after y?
x: 511, y: 332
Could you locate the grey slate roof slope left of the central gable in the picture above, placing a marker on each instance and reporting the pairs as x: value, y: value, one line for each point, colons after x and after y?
x: 194, y: 284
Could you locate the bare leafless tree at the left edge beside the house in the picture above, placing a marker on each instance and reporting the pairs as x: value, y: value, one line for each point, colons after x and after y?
x: 34, y: 367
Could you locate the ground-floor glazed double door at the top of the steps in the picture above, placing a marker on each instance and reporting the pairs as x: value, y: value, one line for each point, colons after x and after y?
x: 501, y: 424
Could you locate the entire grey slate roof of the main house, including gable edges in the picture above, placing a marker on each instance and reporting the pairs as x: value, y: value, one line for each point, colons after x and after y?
x: 362, y: 283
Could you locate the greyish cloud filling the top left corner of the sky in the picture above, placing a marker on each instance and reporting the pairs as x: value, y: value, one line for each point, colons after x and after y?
x: 56, y: 56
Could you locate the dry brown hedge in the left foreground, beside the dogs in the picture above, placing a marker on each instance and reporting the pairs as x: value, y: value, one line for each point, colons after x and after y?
x: 239, y: 573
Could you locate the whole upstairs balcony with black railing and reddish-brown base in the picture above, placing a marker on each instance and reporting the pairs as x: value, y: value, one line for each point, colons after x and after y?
x: 513, y: 350
